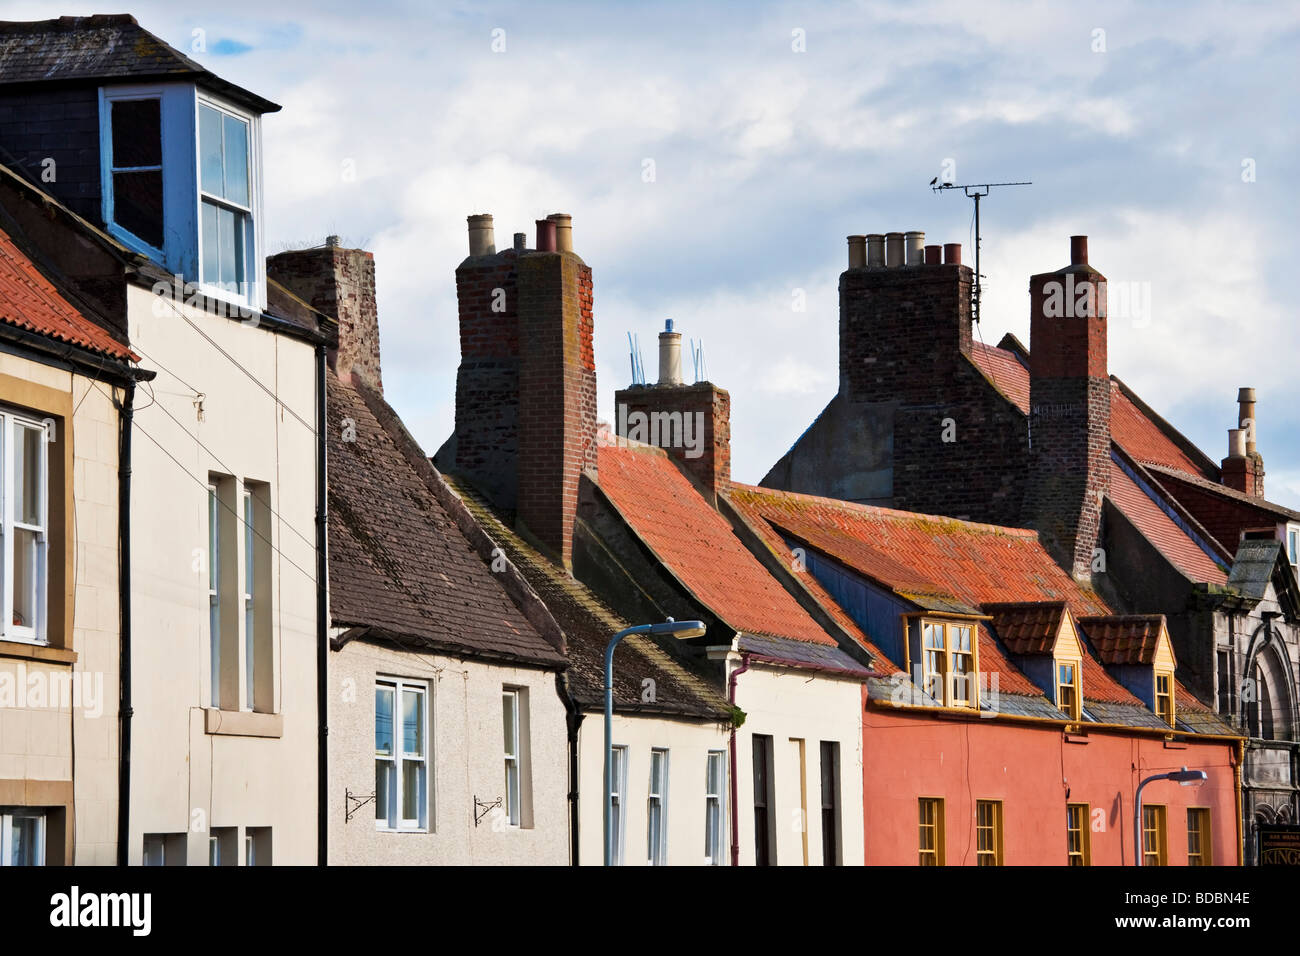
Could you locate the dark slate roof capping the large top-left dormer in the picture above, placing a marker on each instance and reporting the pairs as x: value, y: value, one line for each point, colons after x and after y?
x: 102, y: 50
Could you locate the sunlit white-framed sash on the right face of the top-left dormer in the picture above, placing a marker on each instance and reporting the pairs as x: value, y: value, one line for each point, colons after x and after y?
x: 227, y: 198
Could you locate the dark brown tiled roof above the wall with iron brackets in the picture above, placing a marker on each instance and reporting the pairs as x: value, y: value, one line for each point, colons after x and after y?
x: 398, y: 563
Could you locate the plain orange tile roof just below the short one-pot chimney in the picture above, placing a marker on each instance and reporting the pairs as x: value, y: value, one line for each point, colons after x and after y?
x: 697, y: 544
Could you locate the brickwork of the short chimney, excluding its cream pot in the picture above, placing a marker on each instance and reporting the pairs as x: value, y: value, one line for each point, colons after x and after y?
x: 707, y: 457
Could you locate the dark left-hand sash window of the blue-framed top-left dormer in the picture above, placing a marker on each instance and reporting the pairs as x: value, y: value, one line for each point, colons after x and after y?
x: 136, y: 165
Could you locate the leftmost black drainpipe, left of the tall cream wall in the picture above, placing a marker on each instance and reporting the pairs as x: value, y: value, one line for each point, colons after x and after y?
x: 127, y: 412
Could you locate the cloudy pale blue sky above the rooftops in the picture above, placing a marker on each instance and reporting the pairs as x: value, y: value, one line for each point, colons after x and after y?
x: 1167, y: 133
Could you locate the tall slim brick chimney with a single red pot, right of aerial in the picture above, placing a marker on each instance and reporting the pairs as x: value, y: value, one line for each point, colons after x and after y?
x: 1069, y: 409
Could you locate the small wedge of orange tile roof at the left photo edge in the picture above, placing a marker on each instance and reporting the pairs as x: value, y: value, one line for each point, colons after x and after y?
x: 29, y: 301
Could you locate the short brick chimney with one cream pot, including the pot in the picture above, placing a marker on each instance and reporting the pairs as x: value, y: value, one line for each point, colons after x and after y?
x: 692, y: 423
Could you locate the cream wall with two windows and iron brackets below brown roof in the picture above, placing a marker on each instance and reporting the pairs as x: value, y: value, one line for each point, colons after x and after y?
x: 467, y: 762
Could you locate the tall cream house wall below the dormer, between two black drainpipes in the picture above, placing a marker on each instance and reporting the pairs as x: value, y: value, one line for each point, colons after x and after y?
x: 185, y: 780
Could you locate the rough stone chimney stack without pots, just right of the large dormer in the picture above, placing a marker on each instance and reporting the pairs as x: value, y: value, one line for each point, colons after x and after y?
x: 341, y: 284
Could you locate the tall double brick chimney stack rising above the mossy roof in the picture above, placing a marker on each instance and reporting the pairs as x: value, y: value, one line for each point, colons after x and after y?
x: 526, y: 390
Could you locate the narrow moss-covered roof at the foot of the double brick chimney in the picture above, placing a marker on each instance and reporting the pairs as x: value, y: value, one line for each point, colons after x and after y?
x: 588, y: 624
